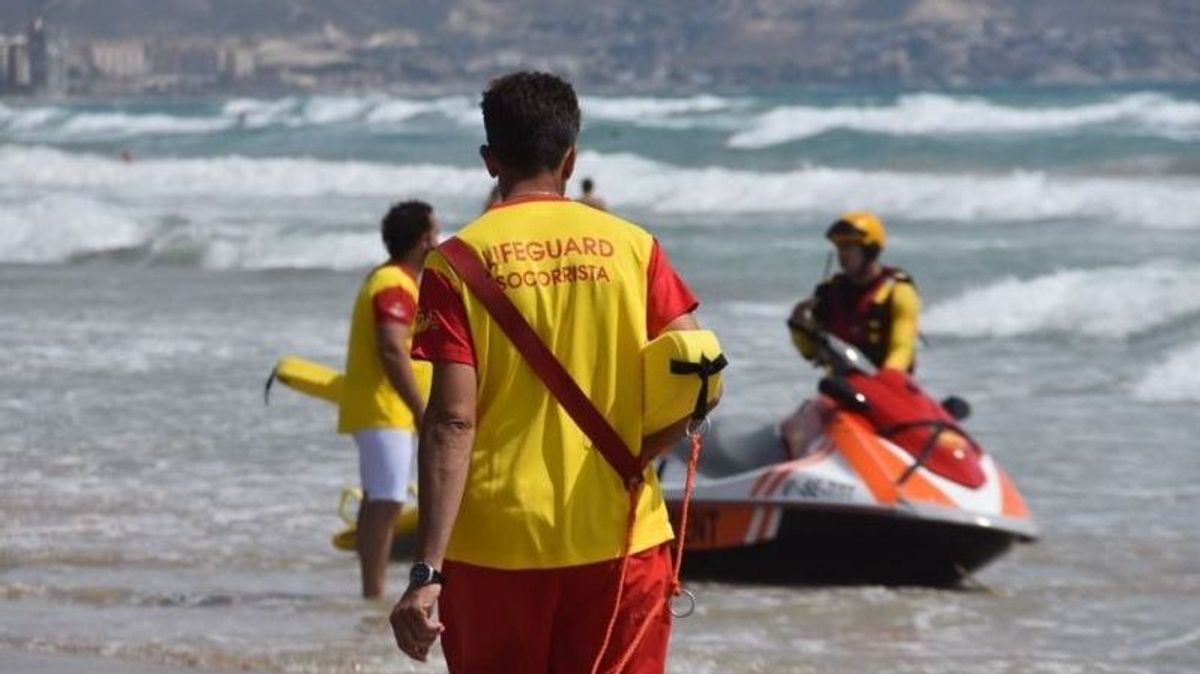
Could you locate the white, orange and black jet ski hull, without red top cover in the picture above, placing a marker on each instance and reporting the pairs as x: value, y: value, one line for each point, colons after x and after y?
x: 854, y: 509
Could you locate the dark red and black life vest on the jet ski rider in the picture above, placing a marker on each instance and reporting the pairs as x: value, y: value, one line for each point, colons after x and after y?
x: 861, y: 316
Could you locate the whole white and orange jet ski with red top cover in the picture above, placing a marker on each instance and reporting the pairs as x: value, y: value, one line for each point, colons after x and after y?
x: 871, y: 483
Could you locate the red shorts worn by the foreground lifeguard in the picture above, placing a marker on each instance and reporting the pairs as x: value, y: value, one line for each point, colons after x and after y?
x: 554, y: 621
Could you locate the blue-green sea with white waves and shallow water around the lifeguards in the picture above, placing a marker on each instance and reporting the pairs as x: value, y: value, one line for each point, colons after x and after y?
x: 158, y: 257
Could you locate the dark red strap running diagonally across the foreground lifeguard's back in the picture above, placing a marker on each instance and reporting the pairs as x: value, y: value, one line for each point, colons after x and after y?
x: 542, y: 360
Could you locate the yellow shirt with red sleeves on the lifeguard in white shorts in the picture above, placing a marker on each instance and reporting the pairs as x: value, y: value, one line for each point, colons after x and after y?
x: 369, y: 400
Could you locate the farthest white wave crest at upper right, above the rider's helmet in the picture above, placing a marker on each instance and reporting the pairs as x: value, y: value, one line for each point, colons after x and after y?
x: 937, y: 115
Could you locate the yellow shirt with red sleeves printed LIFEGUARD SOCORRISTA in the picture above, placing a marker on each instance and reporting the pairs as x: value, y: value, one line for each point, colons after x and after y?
x: 596, y: 290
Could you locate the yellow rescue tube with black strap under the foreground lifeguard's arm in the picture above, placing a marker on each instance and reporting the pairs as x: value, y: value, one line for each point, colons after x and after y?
x: 673, y: 365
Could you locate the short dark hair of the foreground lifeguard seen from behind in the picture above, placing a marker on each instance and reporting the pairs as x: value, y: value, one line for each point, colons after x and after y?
x: 532, y: 121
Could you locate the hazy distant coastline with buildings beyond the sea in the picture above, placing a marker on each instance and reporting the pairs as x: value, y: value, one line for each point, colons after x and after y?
x: 279, y: 49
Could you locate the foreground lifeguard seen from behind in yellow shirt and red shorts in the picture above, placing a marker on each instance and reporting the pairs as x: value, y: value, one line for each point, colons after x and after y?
x: 520, y: 562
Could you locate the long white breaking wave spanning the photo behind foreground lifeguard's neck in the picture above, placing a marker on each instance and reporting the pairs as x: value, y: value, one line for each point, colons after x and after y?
x: 635, y: 183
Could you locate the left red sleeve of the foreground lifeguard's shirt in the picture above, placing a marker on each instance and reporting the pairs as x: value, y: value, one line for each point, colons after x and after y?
x: 443, y: 334
